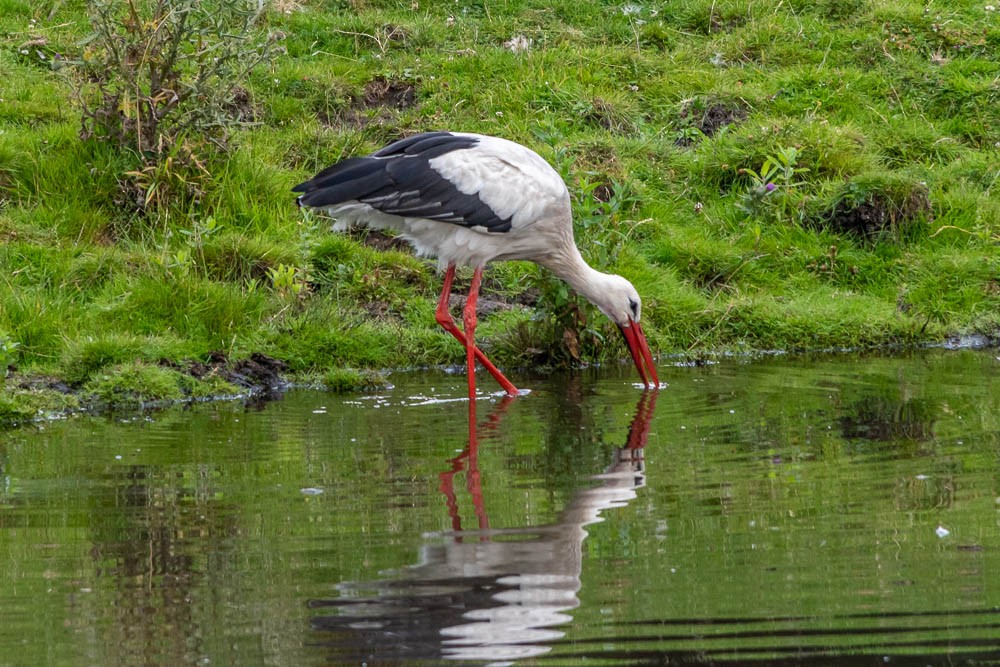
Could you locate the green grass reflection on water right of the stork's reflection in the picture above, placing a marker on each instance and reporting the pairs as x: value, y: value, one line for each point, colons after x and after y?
x: 788, y: 531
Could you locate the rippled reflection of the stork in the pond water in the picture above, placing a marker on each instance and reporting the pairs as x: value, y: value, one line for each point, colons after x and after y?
x: 484, y: 595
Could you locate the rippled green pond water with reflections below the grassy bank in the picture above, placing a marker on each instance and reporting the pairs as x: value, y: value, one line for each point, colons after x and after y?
x: 787, y: 511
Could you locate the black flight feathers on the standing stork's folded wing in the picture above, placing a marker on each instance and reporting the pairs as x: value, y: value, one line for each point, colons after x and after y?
x: 399, y: 180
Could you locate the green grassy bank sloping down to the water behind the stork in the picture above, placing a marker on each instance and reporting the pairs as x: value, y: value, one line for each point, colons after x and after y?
x: 794, y: 175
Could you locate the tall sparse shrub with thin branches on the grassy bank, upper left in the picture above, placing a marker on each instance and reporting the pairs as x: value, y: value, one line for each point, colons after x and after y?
x: 155, y: 73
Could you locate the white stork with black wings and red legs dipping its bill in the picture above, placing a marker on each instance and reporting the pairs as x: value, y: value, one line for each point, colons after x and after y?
x: 471, y: 199
